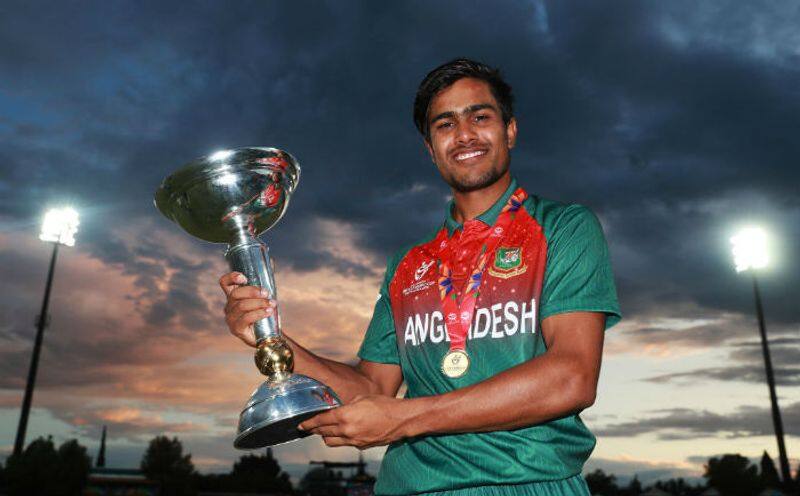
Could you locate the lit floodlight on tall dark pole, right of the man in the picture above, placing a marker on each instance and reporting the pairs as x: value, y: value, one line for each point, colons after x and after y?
x: 750, y: 254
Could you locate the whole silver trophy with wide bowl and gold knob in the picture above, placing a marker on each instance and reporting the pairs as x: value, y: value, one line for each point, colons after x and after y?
x: 232, y: 197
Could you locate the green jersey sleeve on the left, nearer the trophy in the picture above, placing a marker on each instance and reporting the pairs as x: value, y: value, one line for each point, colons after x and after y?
x: 380, y: 341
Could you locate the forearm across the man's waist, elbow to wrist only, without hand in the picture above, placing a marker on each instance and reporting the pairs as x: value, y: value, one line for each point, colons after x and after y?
x: 547, y: 387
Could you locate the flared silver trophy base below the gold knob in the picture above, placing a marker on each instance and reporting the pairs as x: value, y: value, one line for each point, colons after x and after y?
x: 276, y: 408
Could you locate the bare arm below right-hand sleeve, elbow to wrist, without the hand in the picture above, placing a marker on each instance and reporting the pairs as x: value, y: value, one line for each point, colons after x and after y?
x: 559, y: 382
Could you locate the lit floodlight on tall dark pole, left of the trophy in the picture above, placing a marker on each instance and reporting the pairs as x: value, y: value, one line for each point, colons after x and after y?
x: 59, y: 227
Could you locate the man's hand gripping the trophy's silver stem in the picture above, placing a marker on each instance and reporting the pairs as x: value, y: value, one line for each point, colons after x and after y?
x: 245, y: 306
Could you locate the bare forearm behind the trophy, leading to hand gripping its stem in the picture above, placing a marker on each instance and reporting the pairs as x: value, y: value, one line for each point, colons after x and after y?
x: 347, y: 381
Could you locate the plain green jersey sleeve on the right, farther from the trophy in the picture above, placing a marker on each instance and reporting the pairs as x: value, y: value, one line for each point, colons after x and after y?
x: 578, y: 276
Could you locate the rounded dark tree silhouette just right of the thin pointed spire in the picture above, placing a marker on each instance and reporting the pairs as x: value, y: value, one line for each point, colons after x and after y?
x: 165, y: 462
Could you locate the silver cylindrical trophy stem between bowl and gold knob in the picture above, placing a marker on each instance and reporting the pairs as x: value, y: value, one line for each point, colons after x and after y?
x: 251, y: 258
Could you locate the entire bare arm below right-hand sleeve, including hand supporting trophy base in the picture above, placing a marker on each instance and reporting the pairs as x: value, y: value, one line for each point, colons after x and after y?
x: 560, y: 382
